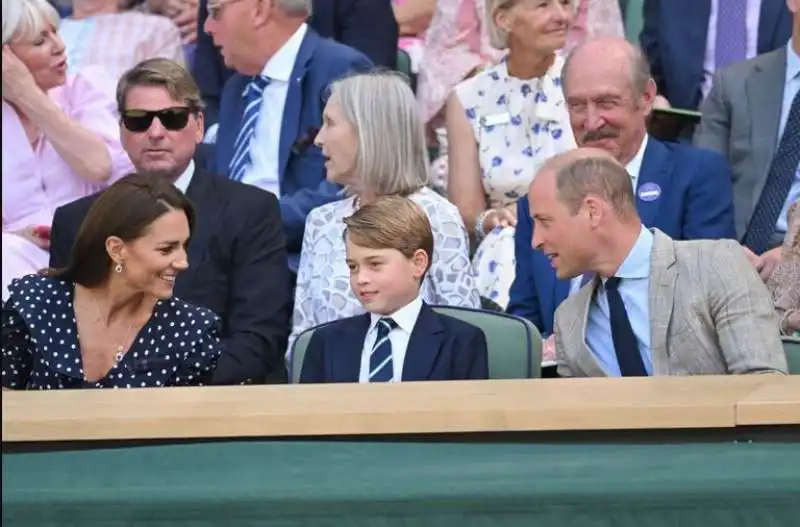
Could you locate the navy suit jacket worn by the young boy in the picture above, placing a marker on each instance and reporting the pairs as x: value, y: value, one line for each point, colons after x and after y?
x: 441, y: 348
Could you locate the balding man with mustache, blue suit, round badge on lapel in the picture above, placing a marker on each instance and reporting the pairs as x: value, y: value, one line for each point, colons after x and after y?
x: 685, y: 192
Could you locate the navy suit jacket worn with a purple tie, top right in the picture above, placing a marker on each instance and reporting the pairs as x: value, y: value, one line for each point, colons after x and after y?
x: 674, y: 40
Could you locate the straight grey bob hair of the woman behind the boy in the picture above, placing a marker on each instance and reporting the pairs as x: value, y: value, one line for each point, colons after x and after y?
x: 391, y: 155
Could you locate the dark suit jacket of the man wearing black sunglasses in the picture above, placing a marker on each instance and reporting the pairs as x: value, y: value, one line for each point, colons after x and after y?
x: 237, y: 269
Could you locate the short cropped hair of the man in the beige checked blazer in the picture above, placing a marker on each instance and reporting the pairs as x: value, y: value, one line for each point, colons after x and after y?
x: 597, y: 176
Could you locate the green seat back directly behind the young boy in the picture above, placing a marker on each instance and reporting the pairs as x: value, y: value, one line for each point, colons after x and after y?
x: 514, y: 344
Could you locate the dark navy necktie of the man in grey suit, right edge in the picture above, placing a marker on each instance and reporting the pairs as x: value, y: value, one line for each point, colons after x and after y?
x: 776, y: 188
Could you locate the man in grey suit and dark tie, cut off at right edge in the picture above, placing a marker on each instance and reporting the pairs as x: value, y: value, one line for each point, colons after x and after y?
x: 752, y: 117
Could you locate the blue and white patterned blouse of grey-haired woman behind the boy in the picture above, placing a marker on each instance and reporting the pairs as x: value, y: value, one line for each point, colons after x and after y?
x: 323, y: 291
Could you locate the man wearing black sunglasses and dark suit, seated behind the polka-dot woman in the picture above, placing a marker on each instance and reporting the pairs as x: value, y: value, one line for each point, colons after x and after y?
x: 237, y: 256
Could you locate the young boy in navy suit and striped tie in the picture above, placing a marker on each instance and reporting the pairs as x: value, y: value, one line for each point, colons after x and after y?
x: 400, y: 338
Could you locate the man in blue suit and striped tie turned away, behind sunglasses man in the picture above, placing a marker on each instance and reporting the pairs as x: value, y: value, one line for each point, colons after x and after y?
x: 271, y: 109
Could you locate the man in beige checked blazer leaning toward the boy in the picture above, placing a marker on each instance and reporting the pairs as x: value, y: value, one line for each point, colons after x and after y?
x: 649, y: 305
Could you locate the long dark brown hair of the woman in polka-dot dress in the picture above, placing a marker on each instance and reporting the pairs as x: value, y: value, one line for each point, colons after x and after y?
x: 125, y: 210
